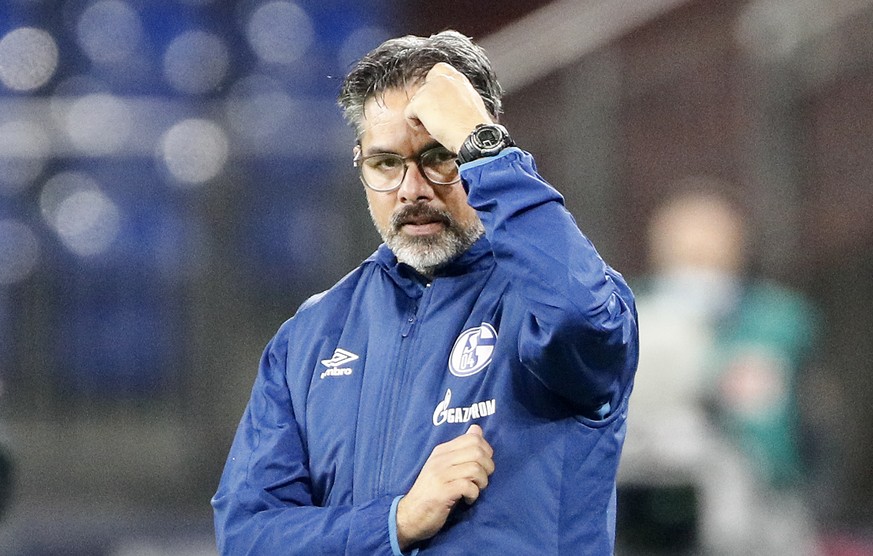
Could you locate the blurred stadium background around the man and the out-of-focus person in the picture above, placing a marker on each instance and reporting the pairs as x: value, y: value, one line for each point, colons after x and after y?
x: 175, y: 179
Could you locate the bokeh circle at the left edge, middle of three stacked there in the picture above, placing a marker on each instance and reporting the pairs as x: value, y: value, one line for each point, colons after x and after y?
x: 24, y: 148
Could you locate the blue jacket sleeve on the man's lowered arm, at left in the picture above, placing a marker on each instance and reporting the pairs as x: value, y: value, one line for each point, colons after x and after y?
x: 264, y: 503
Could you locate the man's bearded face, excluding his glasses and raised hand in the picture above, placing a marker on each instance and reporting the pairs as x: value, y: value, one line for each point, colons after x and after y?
x: 425, y: 225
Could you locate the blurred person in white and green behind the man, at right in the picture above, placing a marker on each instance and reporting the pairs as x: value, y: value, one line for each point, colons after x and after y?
x: 712, y: 463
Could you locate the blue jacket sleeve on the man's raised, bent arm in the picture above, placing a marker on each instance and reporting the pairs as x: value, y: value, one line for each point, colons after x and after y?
x: 579, y: 325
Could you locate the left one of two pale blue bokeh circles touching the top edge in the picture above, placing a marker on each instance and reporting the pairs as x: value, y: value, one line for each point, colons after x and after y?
x: 109, y: 31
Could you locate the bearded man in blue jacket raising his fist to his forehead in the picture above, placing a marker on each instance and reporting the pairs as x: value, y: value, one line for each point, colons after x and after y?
x: 465, y: 389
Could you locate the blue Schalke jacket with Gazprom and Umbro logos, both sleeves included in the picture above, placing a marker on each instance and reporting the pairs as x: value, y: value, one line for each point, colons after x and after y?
x: 529, y: 334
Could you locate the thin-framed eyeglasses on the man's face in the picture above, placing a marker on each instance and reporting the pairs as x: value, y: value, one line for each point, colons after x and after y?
x: 384, y: 172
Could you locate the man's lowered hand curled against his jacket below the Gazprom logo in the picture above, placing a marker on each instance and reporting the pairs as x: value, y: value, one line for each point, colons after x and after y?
x: 454, y: 470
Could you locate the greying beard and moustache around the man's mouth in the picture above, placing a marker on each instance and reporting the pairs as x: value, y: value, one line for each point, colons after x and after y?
x: 427, y: 253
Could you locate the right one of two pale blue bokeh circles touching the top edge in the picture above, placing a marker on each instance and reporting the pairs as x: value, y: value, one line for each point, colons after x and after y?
x: 280, y: 32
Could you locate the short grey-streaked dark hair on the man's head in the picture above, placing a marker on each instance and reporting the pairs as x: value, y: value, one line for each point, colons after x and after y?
x: 402, y: 61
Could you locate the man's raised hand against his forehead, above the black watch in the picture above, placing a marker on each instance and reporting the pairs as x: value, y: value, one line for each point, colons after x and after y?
x: 447, y: 106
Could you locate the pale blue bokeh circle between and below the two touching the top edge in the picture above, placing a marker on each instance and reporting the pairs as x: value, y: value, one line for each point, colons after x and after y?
x: 196, y: 62
